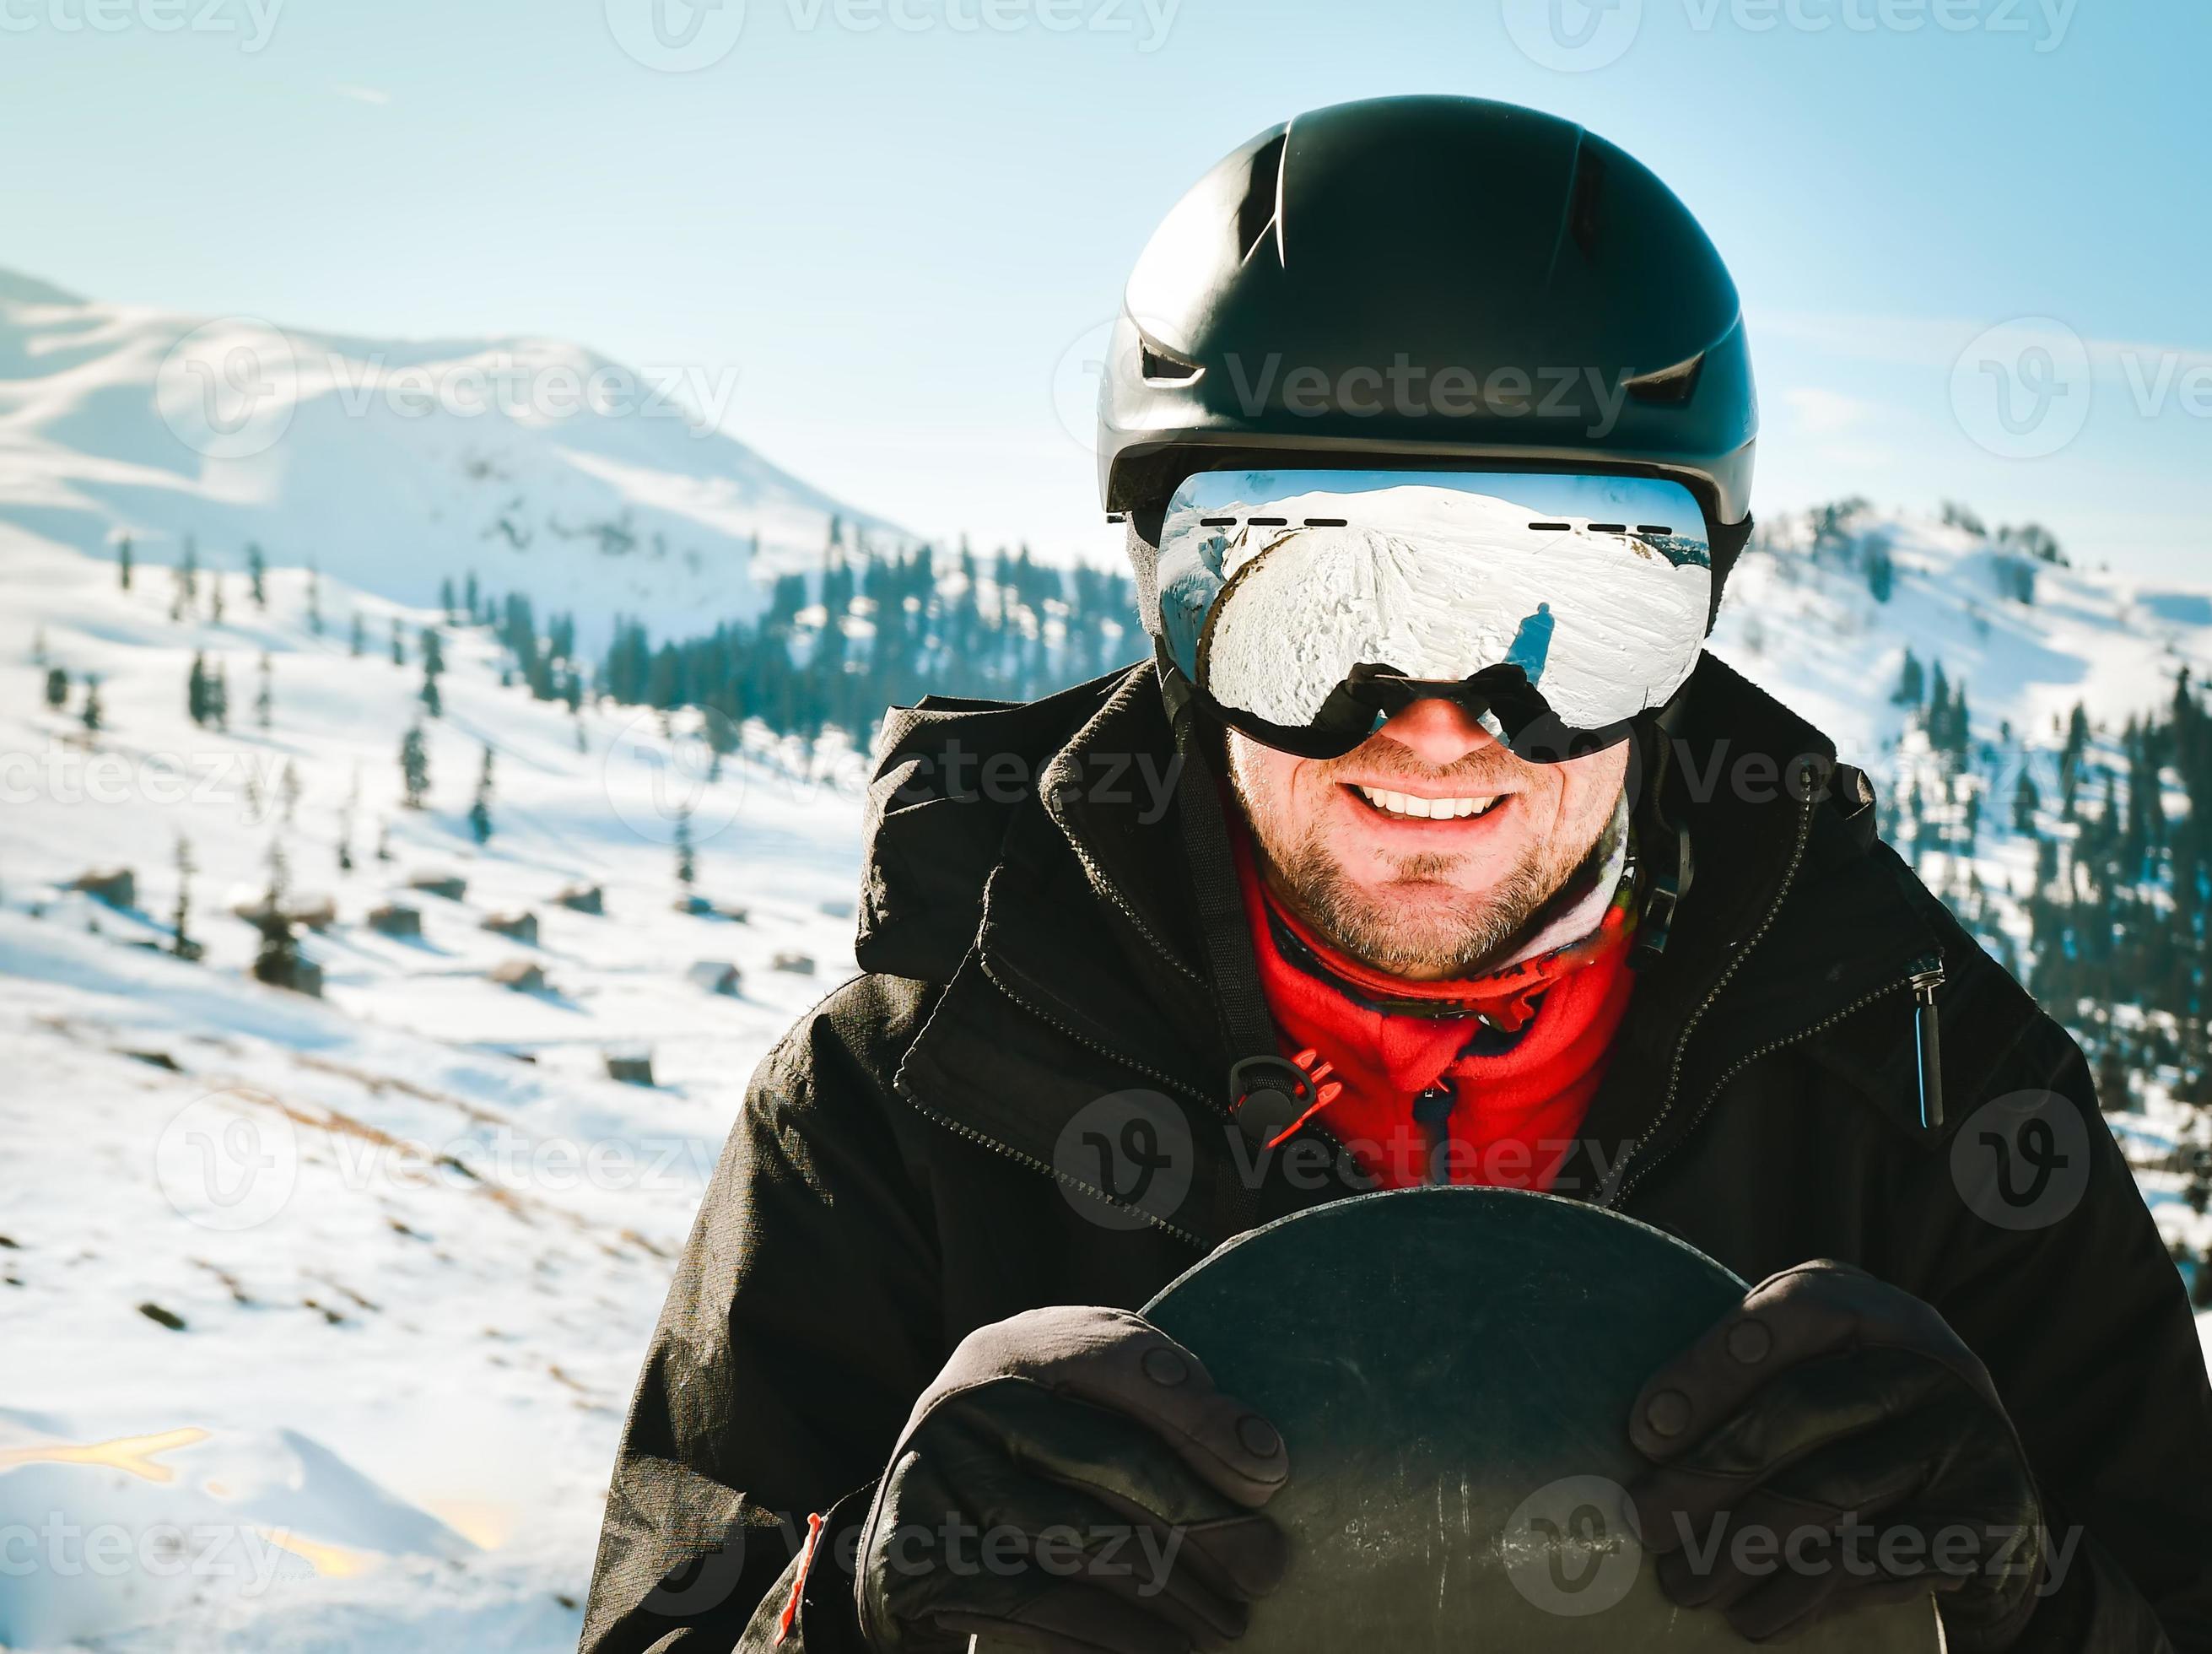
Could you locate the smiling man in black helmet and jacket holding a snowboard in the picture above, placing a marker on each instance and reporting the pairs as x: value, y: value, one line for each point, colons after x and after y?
x: 1368, y: 881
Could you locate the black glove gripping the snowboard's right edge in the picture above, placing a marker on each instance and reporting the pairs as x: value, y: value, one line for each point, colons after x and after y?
x: 1844, y: 1416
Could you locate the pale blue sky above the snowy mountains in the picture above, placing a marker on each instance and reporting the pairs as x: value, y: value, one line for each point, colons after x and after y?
x: 904, y: 238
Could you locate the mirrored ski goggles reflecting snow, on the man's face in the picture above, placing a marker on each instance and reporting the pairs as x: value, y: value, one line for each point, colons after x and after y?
x: 1308, y: 607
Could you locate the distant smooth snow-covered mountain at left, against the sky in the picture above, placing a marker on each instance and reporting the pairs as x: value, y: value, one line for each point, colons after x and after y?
x: 589, y: 485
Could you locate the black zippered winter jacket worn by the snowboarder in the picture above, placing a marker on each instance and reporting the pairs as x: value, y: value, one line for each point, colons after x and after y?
x: 899, y: 1173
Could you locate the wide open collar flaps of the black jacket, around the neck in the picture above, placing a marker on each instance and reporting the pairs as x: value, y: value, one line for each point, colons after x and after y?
x: 1083, y: 917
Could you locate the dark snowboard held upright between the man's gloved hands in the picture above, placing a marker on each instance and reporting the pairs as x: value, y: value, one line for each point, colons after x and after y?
x: 1452, y: 1372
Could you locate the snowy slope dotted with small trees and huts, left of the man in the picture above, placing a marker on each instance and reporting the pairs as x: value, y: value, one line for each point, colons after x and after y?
x: 415, y: 1235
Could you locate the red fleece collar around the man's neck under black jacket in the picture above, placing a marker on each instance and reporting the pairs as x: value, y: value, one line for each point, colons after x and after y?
x: 1481, y: 1080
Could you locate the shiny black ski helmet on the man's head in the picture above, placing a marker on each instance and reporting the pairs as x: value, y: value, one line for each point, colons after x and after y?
x: 1430, y: 282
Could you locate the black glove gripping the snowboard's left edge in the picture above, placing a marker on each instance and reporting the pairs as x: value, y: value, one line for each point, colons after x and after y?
x: 1072, y: 1480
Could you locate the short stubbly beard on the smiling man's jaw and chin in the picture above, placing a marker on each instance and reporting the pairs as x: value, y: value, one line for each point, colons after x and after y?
x: 1419, y: 923
